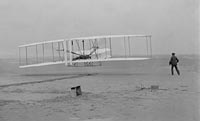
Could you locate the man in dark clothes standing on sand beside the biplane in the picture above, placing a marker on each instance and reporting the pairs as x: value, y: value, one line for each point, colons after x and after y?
x: 173, y: 62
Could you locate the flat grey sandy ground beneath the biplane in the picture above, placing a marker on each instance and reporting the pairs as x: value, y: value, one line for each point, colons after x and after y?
x: 118, y: 92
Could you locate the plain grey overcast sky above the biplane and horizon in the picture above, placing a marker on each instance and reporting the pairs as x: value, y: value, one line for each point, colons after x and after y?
x: 173, y: 24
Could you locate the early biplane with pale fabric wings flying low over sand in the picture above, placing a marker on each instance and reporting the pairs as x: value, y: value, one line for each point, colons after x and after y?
x: 85, y: 51
